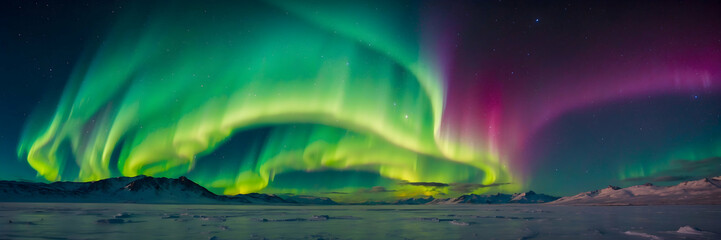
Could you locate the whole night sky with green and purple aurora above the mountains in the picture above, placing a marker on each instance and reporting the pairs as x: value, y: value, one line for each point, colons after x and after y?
x: 367, y: 100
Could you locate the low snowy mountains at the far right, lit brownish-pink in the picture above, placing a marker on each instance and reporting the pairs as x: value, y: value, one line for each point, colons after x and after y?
x: 704, y: 191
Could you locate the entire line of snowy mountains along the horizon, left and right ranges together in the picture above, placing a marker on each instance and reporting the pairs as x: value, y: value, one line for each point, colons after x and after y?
x: 142, y: 189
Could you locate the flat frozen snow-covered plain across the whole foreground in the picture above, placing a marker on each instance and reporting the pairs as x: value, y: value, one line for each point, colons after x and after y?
x: 508, y: 221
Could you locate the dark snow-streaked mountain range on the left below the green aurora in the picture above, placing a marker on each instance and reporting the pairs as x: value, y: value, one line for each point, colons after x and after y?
x: 140, y: 189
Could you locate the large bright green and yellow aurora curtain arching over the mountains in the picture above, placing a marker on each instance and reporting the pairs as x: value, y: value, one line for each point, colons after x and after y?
x: 169, y: 87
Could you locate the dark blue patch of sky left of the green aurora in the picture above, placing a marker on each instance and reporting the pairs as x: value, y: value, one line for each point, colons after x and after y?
x: 41, y: 40
